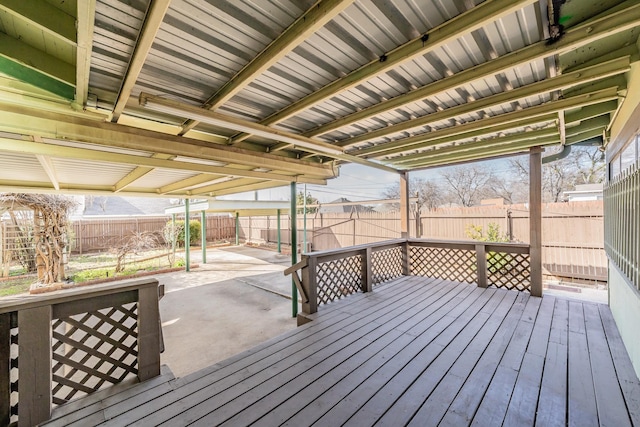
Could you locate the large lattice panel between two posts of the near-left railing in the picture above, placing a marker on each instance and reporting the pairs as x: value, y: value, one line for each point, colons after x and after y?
x: 93, y: 349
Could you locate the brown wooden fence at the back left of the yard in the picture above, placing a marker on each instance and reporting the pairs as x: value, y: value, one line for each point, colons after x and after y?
x: 99, y: 234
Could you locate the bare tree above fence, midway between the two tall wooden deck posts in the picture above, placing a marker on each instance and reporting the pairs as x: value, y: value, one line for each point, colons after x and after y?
x: 466, y: 185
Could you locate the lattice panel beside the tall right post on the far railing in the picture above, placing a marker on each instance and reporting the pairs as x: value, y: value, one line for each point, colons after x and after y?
x: 510, y: 271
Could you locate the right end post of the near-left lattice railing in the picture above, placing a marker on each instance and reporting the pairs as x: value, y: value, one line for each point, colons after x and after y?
x: 148, y: 333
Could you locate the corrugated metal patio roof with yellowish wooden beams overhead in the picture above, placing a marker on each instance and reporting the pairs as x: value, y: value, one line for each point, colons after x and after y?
x: 318, y: 86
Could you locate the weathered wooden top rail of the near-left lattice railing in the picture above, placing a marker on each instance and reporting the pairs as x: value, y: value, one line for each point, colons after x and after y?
x: 11, y: 304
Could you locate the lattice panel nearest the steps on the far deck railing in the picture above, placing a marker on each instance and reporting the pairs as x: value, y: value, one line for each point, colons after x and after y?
x: 339, y: 278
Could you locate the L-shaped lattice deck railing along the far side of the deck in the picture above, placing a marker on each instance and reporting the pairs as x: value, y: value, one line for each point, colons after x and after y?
x: 330, y: 275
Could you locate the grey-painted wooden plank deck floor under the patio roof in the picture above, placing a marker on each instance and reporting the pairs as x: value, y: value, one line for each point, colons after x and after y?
x: 414, y: 351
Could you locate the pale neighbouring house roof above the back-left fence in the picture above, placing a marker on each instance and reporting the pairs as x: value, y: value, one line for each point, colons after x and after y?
x: 132, y: 206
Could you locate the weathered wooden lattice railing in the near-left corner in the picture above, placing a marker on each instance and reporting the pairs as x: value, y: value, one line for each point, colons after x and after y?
x: 66, y: 344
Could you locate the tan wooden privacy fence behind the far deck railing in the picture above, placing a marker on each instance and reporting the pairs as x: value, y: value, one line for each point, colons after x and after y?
x: 572, y: 233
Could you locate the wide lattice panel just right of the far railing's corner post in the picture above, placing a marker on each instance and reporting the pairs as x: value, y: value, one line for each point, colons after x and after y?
x: 445, y: 263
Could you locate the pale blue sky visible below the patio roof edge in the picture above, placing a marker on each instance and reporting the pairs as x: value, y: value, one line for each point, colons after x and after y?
x: 359, y: 183
